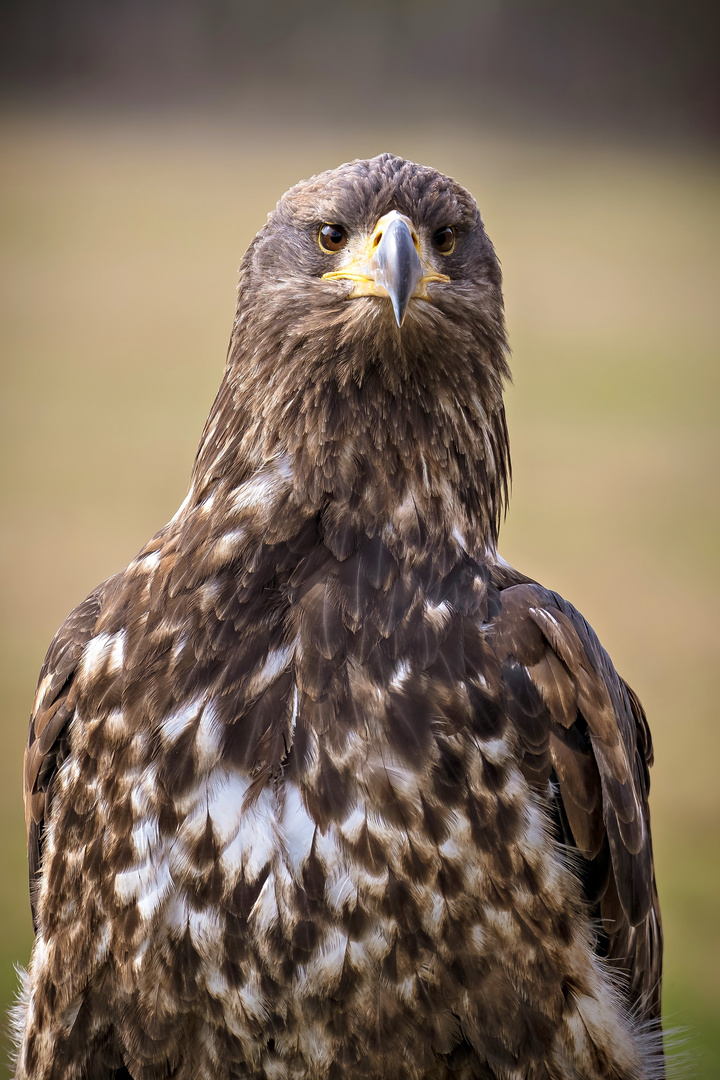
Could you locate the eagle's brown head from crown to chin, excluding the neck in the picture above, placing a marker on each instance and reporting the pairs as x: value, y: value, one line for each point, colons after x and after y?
x: 379, y: 231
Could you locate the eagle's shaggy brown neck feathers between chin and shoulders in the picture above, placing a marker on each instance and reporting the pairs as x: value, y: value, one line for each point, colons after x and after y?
x: 366, y: 422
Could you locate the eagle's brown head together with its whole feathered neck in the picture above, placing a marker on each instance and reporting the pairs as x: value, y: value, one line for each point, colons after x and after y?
x: 371, y: 322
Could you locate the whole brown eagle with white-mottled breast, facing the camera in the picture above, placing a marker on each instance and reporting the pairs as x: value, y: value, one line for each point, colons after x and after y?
x: 320, y: 787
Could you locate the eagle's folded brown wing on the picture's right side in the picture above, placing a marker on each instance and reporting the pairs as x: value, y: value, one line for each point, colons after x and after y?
x: 565, y: 694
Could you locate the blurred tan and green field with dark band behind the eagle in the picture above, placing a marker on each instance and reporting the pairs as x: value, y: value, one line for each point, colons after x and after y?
x: 142, y: 145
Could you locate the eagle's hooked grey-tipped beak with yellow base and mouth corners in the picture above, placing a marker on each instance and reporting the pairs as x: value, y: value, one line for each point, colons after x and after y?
x: 390, y: 265
